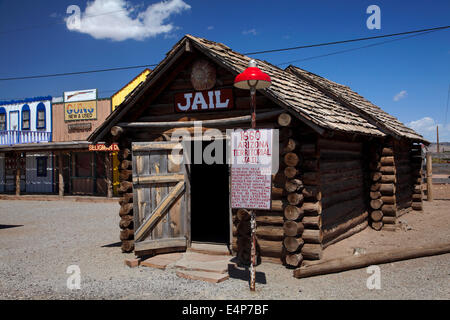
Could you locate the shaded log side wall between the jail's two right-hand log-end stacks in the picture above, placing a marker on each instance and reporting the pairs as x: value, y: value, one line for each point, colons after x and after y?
x: 342, y: 177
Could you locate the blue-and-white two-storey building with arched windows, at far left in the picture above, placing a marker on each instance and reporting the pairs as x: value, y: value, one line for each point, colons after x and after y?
x: 25, y: 122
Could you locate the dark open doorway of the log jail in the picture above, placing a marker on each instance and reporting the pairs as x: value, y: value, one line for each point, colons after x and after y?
x: 210, y: 215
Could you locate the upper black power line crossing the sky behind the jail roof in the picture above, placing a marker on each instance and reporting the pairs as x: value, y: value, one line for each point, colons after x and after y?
x: 248, y: 53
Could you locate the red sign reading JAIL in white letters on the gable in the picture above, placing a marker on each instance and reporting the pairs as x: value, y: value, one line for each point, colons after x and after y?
x: 204, y: 100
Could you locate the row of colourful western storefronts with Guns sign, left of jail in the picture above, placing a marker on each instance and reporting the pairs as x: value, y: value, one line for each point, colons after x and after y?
x: 44, y: 148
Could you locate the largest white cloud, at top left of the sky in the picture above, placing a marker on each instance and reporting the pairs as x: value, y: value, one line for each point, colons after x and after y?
x: 118, y: 20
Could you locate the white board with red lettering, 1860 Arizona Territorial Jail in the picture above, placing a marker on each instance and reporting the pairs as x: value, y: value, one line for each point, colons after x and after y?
x: 251, y: 168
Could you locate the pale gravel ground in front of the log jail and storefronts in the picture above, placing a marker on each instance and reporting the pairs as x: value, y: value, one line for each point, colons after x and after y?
x: 40, y: 239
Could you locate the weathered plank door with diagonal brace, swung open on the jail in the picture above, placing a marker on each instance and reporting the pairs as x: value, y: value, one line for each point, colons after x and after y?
x: 159, y: 197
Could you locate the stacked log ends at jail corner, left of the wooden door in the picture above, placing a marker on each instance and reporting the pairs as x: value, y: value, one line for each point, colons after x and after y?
x: 126, y: 223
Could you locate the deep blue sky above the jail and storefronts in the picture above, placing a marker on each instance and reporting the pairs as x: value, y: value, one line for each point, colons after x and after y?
x: 34, y: 39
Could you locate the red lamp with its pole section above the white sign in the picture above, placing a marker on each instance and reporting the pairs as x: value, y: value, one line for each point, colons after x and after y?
x: 252, y: 78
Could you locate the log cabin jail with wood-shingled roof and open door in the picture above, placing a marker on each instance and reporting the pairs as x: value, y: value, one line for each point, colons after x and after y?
x: 345, y: 164
